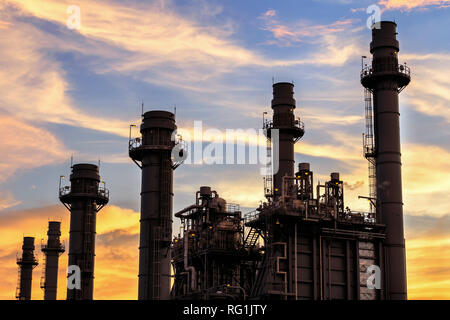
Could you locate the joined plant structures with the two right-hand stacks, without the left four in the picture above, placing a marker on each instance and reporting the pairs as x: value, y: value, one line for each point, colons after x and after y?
x: 303, y: 243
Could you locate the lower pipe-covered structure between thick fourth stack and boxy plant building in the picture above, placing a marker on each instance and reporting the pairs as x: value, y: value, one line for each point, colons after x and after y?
x: 208, y: 256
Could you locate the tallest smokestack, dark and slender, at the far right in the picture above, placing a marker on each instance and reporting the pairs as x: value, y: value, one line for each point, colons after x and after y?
x: 385, y: 78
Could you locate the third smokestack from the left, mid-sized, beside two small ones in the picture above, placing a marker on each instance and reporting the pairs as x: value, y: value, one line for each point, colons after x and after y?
x: 84, y: 198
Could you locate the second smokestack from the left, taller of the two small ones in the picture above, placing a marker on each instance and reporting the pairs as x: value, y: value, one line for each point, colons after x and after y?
x: 52, y: 250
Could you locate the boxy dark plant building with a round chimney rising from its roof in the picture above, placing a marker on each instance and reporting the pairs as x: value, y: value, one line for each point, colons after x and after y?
x: 313, y: 247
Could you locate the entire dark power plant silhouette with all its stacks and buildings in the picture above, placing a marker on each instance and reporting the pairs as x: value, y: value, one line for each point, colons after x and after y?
x: 301, y: 243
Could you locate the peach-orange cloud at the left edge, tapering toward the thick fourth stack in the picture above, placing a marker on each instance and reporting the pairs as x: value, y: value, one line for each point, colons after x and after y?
x: 35, y: 88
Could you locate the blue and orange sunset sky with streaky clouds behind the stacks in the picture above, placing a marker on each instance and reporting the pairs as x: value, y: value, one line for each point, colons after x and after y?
x: 67, y: 92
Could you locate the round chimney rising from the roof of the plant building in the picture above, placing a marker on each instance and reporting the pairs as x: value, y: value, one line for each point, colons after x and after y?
x: 290, y: 130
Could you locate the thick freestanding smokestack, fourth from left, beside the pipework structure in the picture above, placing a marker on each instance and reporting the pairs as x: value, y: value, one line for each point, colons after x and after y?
x: 152, y: 153
